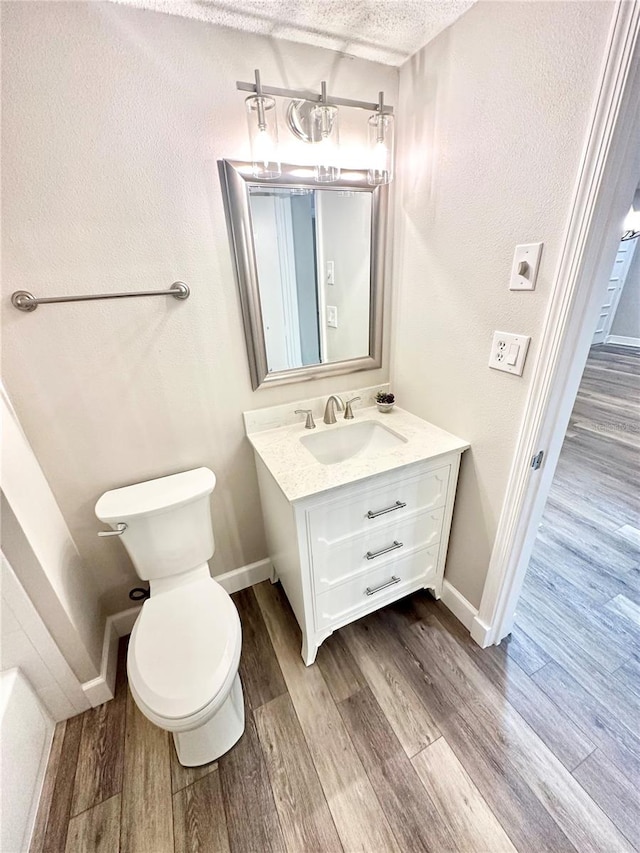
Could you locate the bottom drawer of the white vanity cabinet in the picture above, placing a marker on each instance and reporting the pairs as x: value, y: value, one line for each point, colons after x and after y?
x: 375, y: 588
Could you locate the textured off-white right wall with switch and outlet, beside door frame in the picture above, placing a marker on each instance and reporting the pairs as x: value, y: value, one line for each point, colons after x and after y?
x: 493, y: 116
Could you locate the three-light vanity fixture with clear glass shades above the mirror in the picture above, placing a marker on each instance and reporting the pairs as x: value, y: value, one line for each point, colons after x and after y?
x: 313, y: 118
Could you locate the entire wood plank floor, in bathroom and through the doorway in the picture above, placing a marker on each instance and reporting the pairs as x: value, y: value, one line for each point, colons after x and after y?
x: 405, y: 735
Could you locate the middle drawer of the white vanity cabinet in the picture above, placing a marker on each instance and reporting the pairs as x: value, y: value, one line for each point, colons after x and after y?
x: 338, y: 561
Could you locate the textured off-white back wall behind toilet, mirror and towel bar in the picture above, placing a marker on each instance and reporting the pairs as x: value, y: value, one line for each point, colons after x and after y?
x: 113, y: 120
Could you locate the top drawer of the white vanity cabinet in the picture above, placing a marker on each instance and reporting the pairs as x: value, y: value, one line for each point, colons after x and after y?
x: 376, y: 506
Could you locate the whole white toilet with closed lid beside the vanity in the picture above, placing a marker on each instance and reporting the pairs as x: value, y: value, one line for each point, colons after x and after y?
x: 184, y: 650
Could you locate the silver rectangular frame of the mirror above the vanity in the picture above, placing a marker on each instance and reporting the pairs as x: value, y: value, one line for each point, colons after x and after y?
x: 235, y: 176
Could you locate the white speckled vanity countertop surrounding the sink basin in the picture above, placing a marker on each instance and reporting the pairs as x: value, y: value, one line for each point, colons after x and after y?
x: 300, y: 475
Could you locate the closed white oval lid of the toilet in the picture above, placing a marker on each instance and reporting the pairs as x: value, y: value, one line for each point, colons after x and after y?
x: 184, y: 648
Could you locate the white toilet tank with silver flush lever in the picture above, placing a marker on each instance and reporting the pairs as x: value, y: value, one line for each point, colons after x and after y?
x: 168, y: 520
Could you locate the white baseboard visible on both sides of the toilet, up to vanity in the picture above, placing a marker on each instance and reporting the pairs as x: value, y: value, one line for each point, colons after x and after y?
x: 102, y: 688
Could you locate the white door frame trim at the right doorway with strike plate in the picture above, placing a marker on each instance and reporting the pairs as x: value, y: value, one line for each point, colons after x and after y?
x: 608, y: 175
